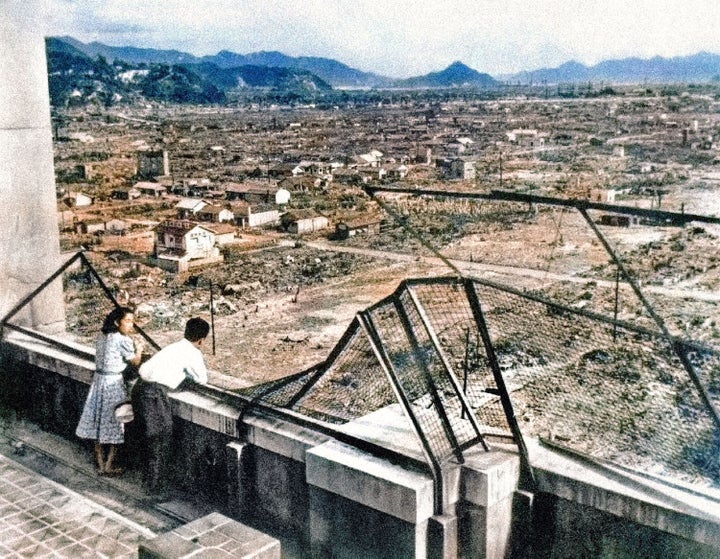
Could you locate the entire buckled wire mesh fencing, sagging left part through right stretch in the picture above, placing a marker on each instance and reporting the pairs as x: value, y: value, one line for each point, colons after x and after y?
x: 600, y: 387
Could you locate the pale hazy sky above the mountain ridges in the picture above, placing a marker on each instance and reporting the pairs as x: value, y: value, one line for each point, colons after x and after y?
x: 396, y: 38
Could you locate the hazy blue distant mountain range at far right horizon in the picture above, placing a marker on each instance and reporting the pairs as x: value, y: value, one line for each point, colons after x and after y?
x: 701, y: 67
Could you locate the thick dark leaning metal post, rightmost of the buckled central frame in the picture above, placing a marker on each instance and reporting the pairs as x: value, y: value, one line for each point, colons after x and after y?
x: 504, y: 394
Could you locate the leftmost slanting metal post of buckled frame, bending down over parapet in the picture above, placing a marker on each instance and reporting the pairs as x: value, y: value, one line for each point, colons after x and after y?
x: 368, y: 326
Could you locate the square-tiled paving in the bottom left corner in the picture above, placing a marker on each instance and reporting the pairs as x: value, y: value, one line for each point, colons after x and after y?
x: 40, y: 518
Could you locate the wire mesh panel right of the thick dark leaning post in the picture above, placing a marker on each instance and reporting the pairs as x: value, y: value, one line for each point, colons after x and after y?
x: 606, y: 389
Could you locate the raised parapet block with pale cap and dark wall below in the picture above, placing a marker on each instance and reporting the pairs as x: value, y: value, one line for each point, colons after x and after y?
x: 365, y: 506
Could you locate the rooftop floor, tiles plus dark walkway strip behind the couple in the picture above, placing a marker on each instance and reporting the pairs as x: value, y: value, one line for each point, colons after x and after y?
x: 54, y: 504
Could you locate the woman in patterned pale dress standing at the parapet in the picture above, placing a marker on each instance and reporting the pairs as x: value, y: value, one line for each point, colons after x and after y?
x: 114, y: 351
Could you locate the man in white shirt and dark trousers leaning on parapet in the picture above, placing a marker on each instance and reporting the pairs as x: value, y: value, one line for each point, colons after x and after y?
x: 178, y: 363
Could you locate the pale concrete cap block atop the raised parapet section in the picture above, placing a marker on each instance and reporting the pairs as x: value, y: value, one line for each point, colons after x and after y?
x: 371, y: 481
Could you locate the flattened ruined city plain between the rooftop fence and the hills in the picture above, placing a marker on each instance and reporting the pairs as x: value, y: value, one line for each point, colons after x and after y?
x: 286, y: 212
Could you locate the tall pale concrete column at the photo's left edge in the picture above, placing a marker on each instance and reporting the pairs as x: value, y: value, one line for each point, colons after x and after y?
x: 29, y: 236
